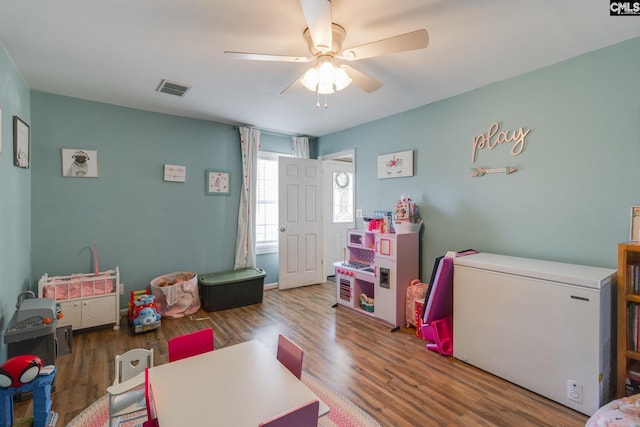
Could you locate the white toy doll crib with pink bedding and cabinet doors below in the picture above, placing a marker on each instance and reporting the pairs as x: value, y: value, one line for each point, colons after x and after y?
x: 86, y: 300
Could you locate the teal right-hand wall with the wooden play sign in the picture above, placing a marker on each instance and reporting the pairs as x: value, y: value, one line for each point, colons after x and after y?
x: 577, y: 177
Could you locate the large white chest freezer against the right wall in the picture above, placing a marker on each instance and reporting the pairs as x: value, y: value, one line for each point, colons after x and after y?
x: 543, y: 325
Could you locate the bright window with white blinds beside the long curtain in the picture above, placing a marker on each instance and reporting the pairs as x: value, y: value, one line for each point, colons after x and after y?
x: 267, y: 203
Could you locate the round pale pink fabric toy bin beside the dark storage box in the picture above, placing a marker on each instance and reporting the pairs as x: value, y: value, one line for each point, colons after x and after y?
x: 176, y: 294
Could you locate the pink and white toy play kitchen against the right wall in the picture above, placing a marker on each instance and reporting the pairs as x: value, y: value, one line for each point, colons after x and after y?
x: 374, y: 278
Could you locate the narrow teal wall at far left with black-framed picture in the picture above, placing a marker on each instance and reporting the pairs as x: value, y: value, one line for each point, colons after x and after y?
x: 15, y: 194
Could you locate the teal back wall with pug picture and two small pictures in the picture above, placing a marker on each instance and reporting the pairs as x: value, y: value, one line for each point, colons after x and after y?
x: 142, y: 224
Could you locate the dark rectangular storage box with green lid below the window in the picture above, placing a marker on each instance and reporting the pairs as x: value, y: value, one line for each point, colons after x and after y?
x: 230, y: 289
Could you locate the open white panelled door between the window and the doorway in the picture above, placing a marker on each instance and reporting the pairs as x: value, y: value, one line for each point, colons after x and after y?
x: 300, y: 219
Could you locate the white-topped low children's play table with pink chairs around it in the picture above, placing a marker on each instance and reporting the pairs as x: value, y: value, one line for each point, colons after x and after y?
x: 241, y: 385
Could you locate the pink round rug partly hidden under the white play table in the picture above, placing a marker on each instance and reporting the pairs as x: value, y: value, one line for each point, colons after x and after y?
x: 343, y: 412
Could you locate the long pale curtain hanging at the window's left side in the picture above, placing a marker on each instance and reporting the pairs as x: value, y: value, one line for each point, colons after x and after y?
x: 246, y: 239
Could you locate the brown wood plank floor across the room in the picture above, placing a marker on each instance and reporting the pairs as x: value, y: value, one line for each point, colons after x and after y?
x: 390, y: 375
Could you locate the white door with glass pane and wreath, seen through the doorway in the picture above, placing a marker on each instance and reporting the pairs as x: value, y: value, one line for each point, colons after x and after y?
x: 339, y: 189
